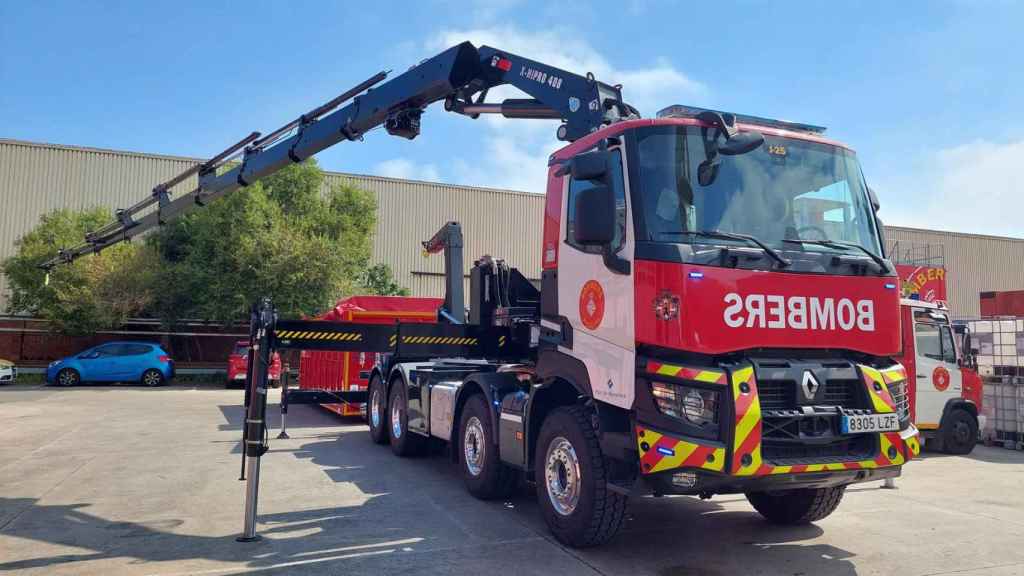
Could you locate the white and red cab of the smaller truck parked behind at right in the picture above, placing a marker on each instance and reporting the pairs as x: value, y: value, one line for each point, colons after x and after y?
x: 945, y: 396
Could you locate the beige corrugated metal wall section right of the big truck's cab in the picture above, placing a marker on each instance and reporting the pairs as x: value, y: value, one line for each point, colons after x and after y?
x: 974, y: 264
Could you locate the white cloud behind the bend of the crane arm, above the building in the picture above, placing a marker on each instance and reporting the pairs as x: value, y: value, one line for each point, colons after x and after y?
x: 515, y: 153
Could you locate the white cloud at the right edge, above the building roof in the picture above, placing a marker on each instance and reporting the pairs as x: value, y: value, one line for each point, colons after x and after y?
x: 974, y: 188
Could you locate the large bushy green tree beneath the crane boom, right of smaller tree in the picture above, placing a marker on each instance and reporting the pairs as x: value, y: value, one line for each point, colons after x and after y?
x: 283, y: 237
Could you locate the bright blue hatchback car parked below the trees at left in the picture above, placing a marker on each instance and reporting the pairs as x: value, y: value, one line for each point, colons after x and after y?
x: 146, y: 363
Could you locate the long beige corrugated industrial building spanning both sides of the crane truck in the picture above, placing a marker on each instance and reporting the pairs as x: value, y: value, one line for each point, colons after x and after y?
x: 38, y: 178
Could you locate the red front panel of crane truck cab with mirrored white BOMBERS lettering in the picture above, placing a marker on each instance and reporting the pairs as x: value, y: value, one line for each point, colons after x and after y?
x: 715, y: 311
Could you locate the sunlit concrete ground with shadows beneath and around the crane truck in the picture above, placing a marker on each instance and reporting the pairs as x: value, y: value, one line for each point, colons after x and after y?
x: 131, y: 481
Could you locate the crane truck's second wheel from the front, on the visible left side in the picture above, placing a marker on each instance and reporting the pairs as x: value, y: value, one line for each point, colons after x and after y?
x: 485, y: 475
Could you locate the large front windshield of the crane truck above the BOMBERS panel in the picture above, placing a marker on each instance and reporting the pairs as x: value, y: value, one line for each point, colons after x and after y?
x: 785, y: 190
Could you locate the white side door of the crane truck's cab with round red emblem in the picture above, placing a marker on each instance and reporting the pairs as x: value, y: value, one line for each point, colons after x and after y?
x: 595, y: 292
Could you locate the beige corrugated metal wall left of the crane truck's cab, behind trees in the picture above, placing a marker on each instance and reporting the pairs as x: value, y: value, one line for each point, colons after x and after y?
x: 36, y: 179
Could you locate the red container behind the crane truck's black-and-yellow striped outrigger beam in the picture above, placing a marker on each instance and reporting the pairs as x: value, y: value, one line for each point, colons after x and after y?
x: 351, y: 371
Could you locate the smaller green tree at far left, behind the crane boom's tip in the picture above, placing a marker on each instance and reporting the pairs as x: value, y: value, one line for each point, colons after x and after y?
x: 95, y: 293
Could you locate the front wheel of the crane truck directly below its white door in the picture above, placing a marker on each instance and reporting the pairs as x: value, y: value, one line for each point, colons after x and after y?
x: 572, y: 481
